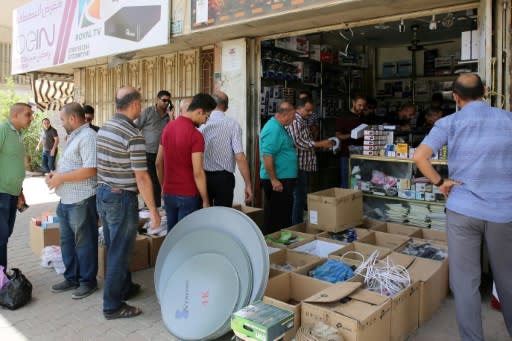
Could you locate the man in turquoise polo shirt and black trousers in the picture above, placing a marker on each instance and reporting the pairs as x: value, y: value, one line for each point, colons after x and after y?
x: 278, y: 169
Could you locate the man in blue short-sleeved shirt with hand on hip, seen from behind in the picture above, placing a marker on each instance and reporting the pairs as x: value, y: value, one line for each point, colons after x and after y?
x: 479, y: 198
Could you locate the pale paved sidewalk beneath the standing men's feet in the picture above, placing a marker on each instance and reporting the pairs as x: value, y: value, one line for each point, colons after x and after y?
x: 58, y: 317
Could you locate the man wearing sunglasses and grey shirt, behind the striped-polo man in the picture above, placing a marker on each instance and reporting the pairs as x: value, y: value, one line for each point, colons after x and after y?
x: 151, y: 123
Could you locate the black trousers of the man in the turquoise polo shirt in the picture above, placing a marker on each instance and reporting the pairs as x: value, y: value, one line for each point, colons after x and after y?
x: 278, y: 205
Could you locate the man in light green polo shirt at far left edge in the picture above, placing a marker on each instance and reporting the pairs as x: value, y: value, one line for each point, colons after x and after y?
x: 12, y: 159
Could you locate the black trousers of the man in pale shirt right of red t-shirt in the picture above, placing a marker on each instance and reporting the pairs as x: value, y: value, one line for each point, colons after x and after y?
x: 220, y: 186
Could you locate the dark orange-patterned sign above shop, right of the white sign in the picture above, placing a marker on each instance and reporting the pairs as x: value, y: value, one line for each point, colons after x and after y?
x: 207, y: 13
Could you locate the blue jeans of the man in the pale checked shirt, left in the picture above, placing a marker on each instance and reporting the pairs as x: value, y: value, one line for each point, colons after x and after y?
x: 79, y: 241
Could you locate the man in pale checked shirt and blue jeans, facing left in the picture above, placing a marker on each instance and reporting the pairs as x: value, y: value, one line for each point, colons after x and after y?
x: 75, y: 184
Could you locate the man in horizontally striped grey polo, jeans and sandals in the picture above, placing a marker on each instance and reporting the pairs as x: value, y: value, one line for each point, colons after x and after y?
x: 122, y: 172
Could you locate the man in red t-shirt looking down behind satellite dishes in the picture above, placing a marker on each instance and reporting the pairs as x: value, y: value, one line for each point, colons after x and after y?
x: 179, y: 161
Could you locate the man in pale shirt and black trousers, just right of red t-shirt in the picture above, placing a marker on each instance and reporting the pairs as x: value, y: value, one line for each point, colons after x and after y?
x: 223, y: 147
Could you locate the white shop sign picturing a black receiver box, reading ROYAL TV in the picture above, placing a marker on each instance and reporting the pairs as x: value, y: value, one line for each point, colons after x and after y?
x: 54, y: 32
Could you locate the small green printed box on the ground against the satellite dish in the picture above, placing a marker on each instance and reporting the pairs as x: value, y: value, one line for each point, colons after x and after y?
x: 261, y: 321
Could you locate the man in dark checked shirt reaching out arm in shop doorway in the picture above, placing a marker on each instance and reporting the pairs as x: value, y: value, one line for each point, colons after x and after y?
x: 305, y: 145
